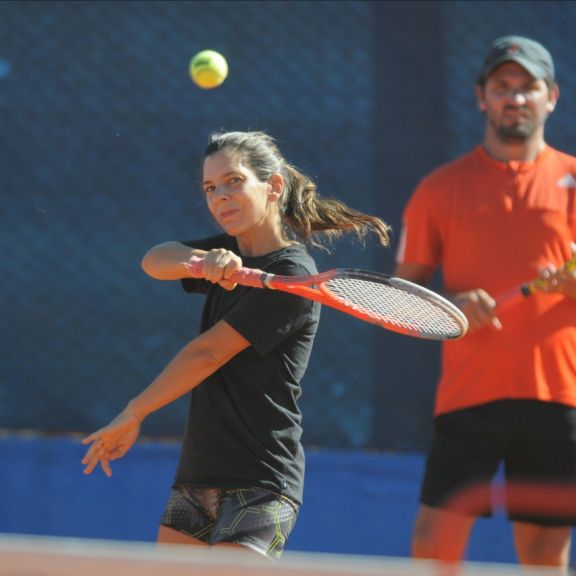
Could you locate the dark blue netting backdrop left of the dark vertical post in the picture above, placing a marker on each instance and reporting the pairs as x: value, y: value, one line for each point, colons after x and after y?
x: 101, y: 134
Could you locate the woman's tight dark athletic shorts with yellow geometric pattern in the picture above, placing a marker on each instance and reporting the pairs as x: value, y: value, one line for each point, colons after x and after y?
x: 252, y: 517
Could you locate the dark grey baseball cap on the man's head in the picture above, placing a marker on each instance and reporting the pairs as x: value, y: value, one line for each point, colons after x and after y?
x: 531, y: 55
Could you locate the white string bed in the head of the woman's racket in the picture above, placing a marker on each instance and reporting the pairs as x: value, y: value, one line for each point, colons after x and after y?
x: 385, y: 303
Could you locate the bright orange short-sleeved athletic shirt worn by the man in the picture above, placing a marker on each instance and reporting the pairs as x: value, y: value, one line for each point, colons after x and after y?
x: 492, y: 225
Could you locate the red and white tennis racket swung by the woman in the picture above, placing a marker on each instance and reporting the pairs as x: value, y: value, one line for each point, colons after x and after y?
x: 391, y: 303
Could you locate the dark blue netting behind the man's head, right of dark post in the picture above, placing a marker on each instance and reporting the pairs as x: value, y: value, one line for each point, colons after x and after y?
x: 470, y: 26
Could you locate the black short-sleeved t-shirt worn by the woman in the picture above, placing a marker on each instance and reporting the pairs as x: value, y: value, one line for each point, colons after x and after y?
x: 243, y: 426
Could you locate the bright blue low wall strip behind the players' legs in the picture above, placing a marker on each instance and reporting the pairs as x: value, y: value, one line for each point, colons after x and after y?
x: 355, y: 503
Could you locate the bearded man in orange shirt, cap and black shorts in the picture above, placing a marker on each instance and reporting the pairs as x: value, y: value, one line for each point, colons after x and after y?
x: 494, y: 218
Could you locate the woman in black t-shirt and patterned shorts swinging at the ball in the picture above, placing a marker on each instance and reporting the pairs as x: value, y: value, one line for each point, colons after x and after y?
x: 241, y: 451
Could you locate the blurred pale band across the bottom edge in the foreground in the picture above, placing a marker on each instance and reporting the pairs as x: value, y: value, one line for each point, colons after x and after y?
x: 22, y: 555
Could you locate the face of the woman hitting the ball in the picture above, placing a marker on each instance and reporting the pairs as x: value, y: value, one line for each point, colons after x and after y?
x: 241, y: 204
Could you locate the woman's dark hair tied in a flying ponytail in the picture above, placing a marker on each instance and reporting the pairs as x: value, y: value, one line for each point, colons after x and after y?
x: 305, y: 214
